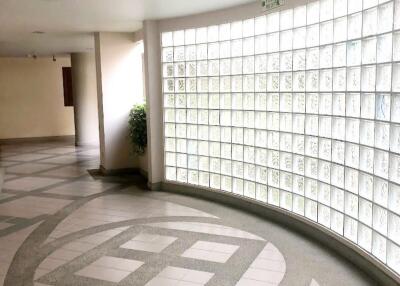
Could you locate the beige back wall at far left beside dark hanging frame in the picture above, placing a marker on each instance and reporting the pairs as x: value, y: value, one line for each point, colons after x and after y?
x: 31, y: 98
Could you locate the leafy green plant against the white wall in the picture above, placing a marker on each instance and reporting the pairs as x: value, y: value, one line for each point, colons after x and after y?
x: 138, y: 128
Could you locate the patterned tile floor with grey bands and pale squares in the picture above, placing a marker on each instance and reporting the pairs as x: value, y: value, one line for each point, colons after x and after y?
x: 61, y: 226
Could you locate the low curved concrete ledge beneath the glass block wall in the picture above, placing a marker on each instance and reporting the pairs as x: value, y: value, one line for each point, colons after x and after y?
x: 370, y: 266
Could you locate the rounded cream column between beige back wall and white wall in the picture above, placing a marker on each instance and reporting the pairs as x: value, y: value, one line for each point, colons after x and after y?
x: 85, y: 99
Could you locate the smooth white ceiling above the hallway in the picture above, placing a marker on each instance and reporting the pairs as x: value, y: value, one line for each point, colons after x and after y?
x: 69, y: 24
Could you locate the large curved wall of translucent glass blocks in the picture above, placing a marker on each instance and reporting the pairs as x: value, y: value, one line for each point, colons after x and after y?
x: 298, y: 109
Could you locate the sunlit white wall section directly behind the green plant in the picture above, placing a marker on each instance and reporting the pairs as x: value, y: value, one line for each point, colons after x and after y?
x: 119, y: 87
